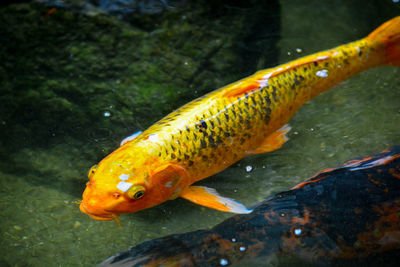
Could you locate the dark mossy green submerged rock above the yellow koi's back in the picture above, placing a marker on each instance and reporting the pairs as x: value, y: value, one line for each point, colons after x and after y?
x: 96, y: 78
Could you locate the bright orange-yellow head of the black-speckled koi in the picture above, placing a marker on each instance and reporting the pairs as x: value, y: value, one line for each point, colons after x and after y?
x: 126, y: 182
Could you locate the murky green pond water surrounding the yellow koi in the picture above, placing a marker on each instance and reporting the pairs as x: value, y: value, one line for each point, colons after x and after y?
x: 66, y: 71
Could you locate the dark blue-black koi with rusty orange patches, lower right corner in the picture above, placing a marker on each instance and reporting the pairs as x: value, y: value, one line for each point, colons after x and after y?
x: 341, y: 216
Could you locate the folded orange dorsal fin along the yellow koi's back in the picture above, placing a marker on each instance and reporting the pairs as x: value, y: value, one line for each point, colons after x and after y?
x: 260, y: 78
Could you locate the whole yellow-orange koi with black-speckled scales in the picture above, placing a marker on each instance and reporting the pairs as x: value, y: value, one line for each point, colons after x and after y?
x: 212, y: 132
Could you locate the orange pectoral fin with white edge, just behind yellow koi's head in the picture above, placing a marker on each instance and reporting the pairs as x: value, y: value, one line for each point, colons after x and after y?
x: 210, y: 198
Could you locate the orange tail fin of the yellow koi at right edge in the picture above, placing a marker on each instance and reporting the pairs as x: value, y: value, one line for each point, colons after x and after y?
x: 388, y: 36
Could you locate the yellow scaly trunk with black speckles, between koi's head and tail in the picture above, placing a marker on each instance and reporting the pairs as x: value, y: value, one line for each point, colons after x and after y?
x: 216, y: 130
